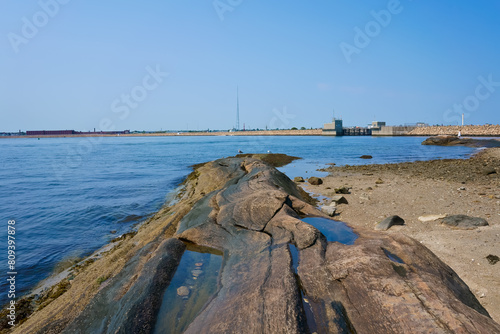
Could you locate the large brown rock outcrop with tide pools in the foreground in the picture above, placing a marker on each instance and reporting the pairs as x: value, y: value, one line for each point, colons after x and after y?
x: 251, y: 213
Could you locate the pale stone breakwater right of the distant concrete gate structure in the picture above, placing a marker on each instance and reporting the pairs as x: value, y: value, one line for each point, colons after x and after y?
x: 466, y: 130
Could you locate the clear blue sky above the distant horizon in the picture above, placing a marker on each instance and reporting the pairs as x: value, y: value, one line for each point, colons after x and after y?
x: 288, y: 58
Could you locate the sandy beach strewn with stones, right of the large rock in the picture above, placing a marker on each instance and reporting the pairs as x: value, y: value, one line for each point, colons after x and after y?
x: 410, y: 190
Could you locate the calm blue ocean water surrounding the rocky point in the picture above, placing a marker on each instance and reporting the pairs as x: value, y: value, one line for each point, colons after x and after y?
x: 67, y: 194
